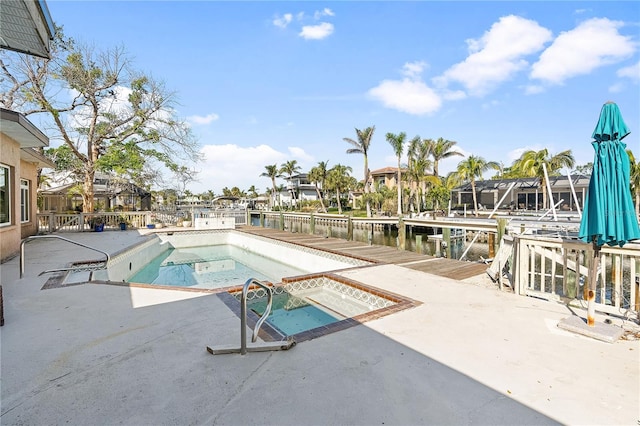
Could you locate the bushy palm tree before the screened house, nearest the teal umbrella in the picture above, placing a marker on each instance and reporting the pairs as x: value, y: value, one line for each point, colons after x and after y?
x: 532, y: 164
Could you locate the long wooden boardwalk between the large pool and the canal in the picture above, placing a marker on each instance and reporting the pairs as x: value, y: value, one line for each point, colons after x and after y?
x: 450, y: 268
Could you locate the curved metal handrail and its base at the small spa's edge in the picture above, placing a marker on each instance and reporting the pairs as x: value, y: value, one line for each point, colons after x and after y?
x: 282, y: 345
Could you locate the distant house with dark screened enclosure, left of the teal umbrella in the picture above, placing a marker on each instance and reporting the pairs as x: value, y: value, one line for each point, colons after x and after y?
x: 526, y: 193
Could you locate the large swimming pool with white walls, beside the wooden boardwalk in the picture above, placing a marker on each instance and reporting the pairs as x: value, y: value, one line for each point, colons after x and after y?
x: 216, y: 259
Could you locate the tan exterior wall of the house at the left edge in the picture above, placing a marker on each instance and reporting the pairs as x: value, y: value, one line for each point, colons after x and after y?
x: 13, y: 232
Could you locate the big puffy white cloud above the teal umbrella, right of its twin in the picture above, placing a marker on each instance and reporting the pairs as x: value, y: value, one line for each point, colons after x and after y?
x: 592, y: 44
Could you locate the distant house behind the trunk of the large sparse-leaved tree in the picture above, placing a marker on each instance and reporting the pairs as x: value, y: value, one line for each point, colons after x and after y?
x: 109, y: 194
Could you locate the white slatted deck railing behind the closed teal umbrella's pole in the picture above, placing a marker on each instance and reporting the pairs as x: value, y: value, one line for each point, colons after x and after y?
x: 558, y: 269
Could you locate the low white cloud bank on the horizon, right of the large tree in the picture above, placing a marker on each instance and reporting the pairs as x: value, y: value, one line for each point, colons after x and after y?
x: 231, y: 165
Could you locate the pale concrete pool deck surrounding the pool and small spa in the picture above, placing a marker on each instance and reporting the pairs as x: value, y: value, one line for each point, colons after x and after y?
x: 93, y: 354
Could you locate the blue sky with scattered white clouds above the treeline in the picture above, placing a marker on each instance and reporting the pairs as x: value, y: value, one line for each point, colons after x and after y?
x: 266, y: 82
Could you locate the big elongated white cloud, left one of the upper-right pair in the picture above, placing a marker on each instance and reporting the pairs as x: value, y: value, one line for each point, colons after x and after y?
x: 497, y: 55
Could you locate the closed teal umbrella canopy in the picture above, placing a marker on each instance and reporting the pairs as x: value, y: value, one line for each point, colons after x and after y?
x: 609, y: 216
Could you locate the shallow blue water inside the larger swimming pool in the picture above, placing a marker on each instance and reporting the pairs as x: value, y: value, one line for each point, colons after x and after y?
x: 211, y: 267
